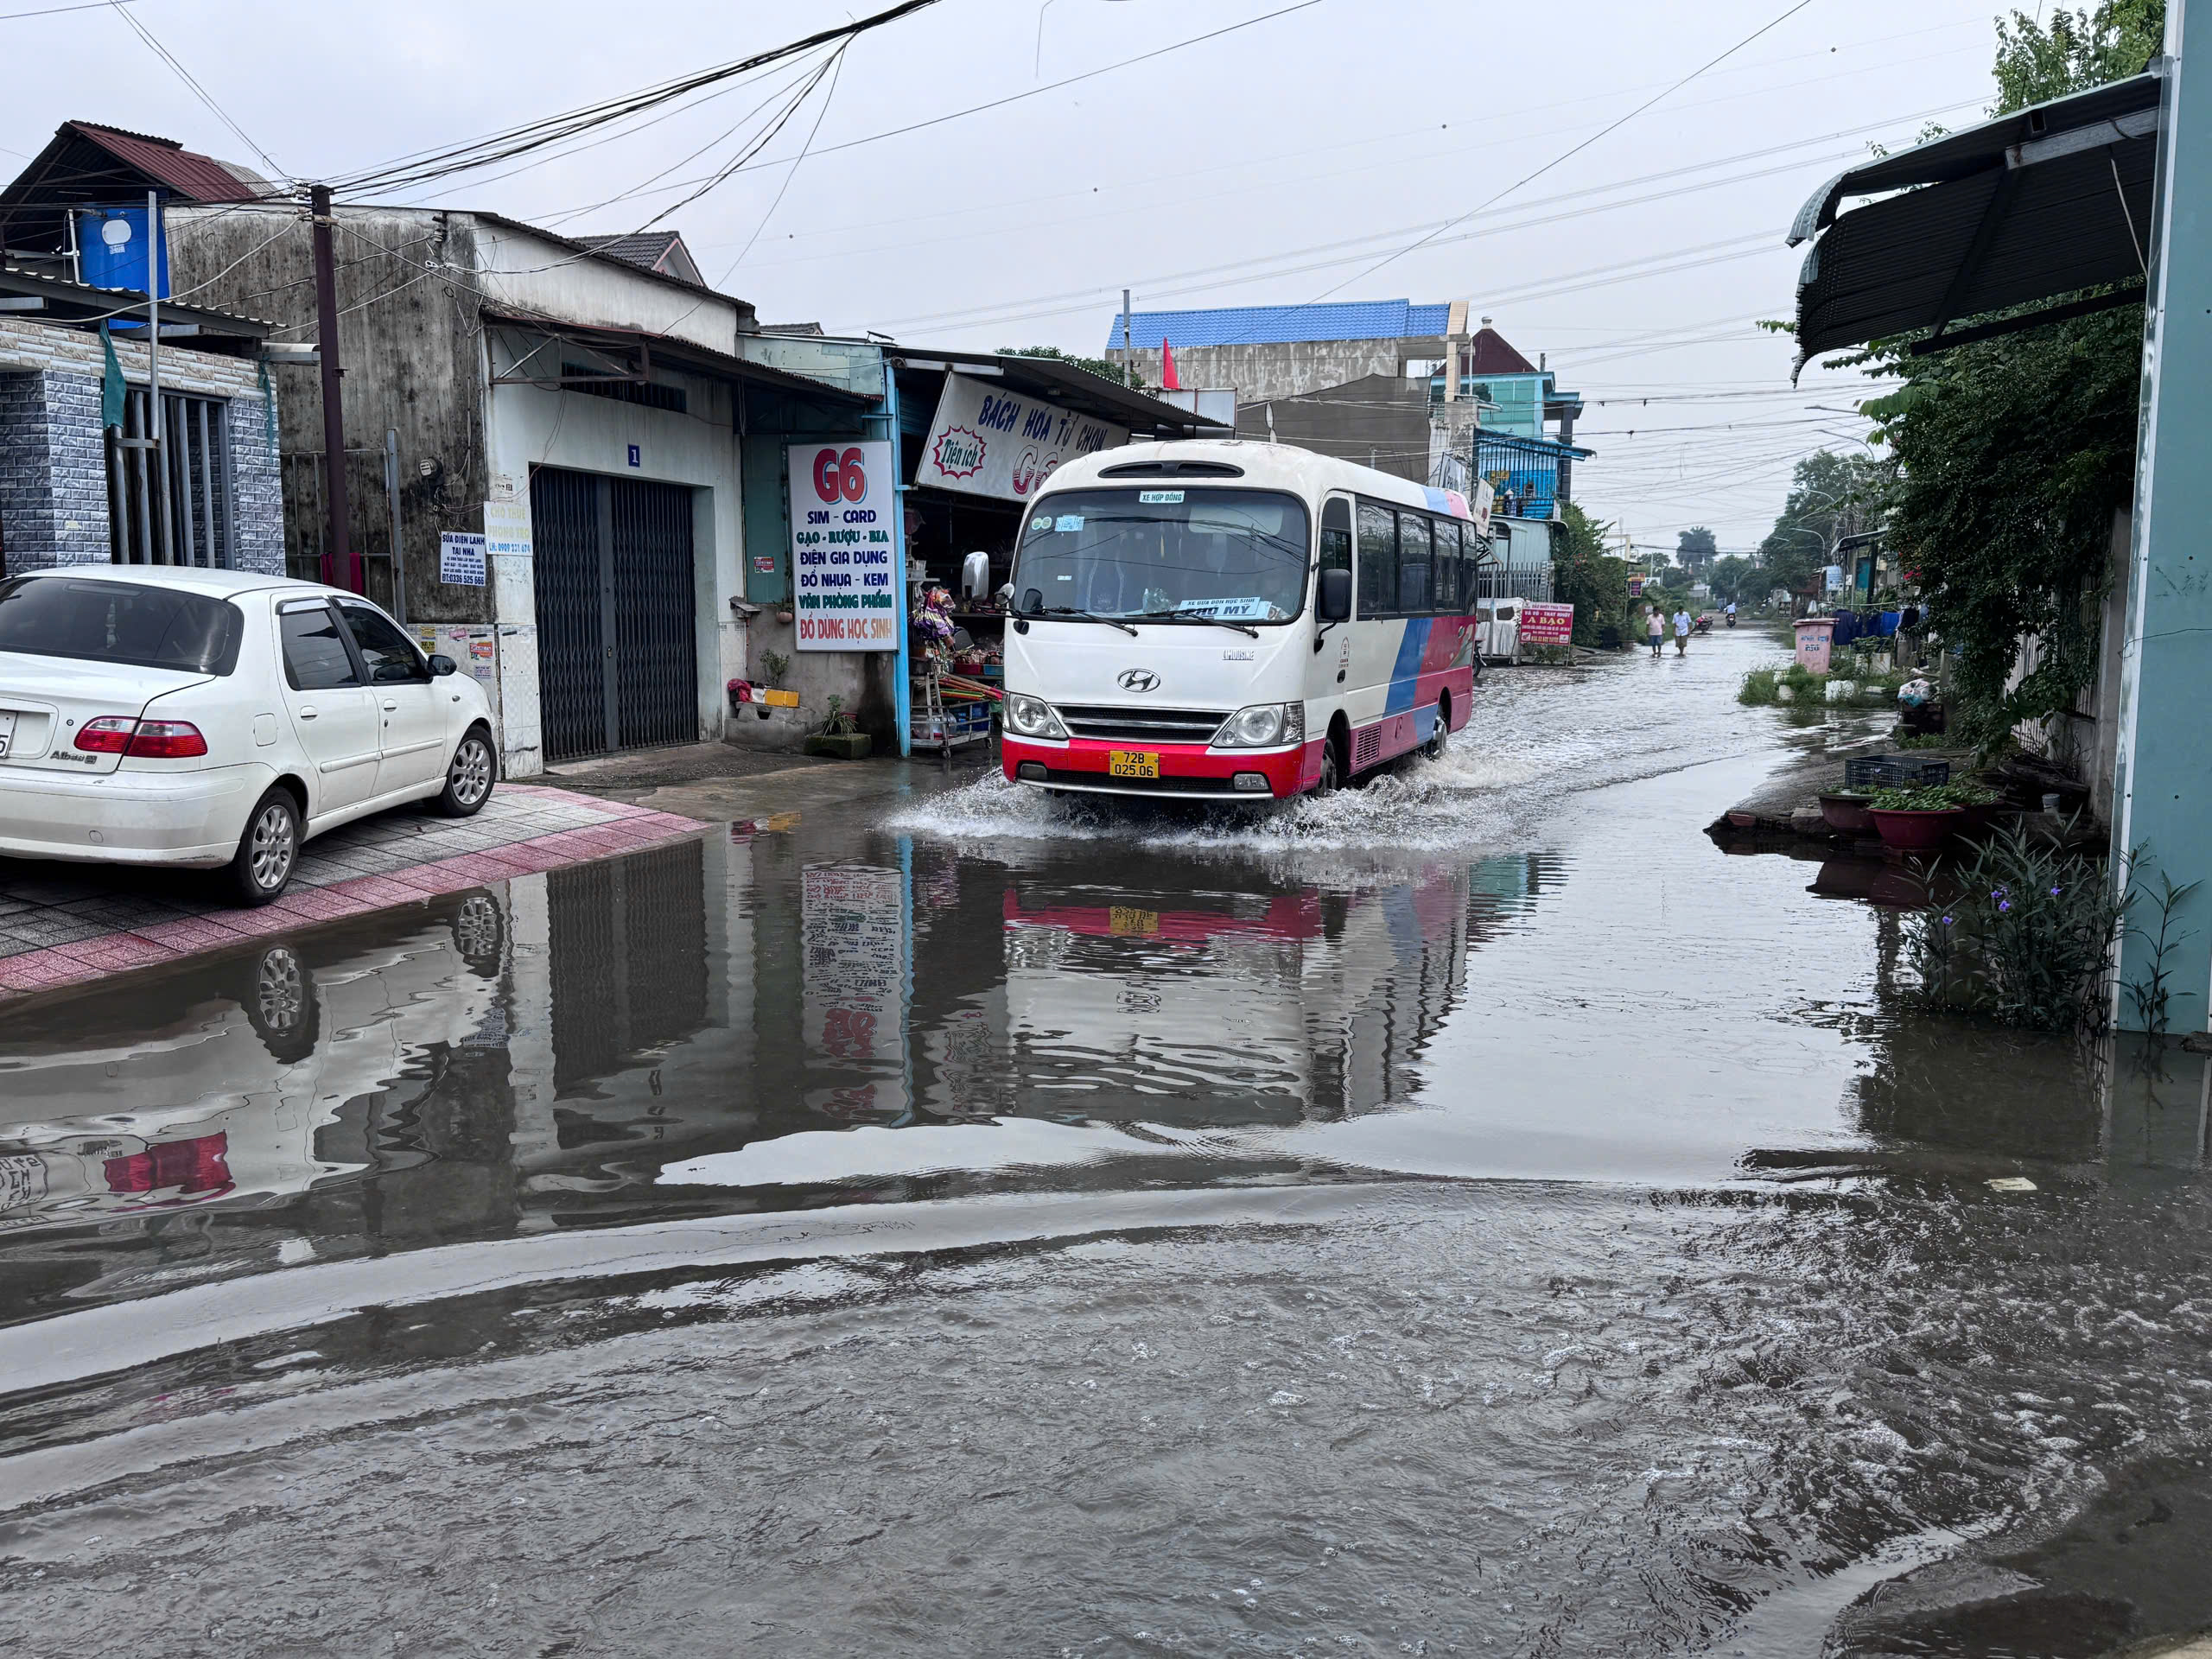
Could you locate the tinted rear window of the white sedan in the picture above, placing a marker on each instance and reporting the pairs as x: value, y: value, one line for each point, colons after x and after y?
x: 121, y: 623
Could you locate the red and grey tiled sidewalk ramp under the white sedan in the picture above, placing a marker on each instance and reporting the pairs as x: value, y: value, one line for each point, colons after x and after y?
x: 67, y: 924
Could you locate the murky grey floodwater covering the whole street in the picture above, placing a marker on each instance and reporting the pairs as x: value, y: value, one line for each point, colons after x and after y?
x: 1465, y: 1215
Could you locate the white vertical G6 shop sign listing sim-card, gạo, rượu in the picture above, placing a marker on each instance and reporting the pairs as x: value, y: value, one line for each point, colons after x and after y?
x: 844, y: 556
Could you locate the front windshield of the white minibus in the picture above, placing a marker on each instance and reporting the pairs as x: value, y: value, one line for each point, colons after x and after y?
x: 1165, y: 554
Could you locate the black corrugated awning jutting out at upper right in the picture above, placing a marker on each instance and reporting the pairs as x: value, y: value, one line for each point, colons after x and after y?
x: 2036, y: 205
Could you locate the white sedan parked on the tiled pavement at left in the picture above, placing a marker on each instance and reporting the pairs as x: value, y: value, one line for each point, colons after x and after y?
x: 213, y: 720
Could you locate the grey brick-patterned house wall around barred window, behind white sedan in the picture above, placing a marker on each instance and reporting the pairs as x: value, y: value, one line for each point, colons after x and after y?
x: 54, y: 472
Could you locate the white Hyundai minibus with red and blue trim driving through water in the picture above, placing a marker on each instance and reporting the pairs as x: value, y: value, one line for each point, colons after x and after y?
x: 1215, y: 620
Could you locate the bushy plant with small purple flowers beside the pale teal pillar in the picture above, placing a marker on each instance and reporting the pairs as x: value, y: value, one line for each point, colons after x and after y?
x: 2025, y: 939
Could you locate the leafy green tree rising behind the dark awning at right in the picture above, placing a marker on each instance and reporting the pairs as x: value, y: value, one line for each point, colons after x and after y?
x: 2014, y: 455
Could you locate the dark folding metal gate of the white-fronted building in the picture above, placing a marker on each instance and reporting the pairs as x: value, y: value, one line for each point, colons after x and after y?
x: 618, y: 649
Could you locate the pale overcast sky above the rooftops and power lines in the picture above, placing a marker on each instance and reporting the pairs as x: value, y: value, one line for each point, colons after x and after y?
x: 1277, y: 163
